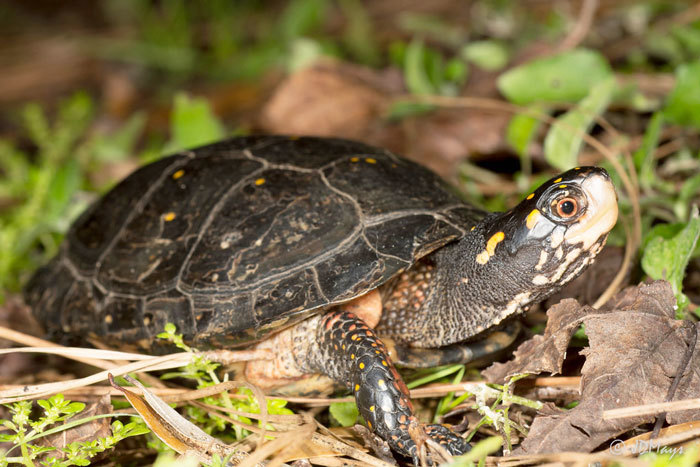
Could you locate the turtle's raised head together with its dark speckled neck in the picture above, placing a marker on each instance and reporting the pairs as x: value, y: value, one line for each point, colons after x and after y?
x: 511, y: 260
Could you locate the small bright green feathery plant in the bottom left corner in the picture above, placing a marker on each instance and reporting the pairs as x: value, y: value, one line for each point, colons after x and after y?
x: 23, y: 432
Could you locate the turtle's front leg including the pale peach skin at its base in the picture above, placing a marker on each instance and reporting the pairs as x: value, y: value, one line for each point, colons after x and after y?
x: 342, y: 346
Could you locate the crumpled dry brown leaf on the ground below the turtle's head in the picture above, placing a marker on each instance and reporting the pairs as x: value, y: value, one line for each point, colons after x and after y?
x: 636, y: 349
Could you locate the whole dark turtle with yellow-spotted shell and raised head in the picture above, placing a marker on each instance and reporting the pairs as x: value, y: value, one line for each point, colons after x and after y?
x: 321, y: 250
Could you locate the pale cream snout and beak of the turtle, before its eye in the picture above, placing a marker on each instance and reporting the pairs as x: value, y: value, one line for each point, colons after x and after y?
x: 601, y: 213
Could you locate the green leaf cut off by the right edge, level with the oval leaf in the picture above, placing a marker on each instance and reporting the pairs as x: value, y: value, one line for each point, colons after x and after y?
x: 683, y: 105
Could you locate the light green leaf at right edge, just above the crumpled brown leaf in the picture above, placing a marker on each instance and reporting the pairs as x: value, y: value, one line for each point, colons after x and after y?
x: 667, y: 258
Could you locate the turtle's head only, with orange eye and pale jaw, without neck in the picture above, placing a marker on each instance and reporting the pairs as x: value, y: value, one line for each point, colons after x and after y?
x: 556, y: 231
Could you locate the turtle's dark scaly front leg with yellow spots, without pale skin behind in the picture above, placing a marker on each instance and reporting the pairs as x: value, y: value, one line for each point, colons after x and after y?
x: 347, y: 350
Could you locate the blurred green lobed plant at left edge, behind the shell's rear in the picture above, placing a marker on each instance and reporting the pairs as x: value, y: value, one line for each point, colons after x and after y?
x: 41, y: 192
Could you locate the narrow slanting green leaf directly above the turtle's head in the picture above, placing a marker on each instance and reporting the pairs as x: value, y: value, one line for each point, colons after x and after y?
x: 564, y: 139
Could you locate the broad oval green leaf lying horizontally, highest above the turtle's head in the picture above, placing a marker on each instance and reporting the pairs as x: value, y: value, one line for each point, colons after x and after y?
x: 567, y: 77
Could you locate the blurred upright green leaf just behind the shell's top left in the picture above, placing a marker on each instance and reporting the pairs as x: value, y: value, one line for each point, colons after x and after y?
x: 193, y: 123
